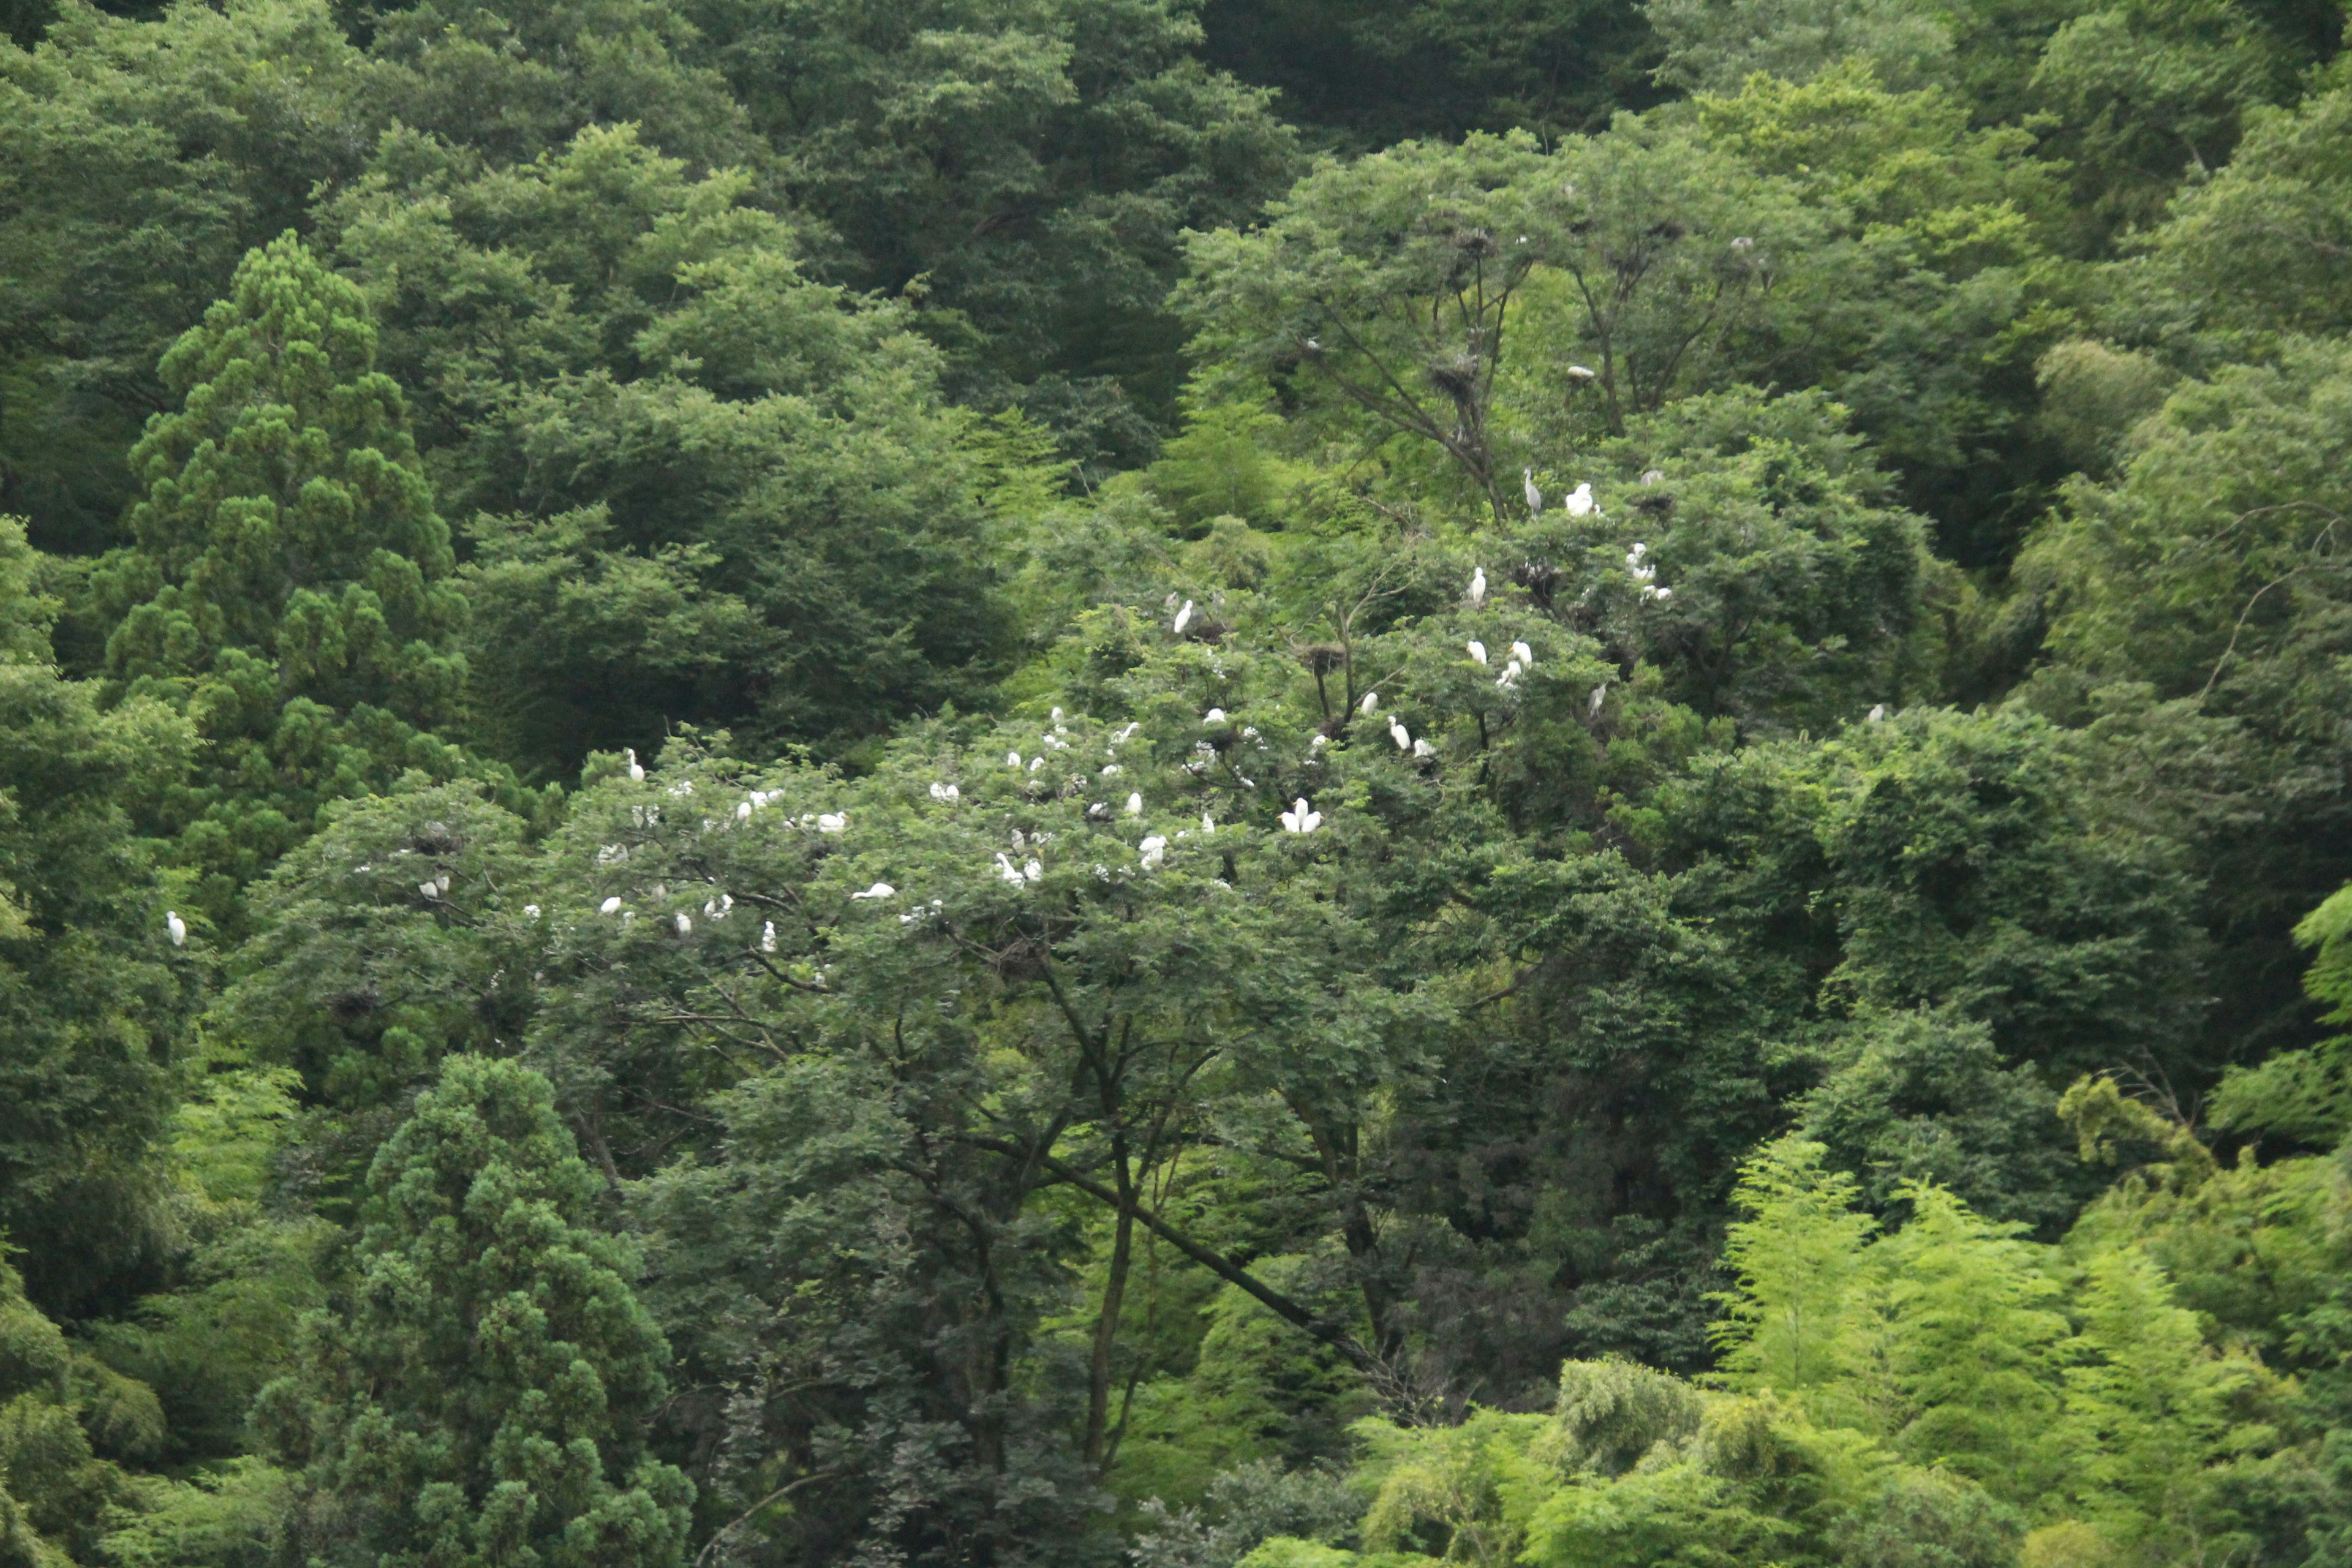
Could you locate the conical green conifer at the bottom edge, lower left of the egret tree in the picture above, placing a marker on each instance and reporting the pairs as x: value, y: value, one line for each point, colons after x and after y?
x: 483, y: 1393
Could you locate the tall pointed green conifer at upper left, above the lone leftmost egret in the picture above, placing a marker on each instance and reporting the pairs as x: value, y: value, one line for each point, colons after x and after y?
x: 290, y: 582
